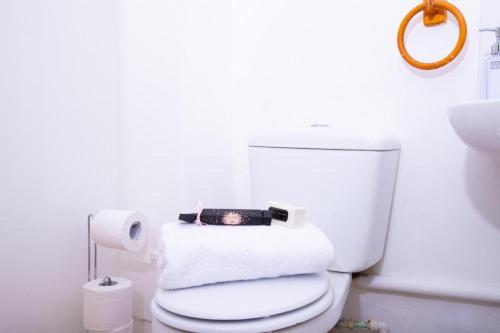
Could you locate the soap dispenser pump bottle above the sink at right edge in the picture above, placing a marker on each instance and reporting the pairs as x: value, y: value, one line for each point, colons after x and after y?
x: 490, y: 78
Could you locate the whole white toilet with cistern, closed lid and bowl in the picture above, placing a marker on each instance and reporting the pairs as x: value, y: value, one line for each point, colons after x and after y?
x: 346, y: 182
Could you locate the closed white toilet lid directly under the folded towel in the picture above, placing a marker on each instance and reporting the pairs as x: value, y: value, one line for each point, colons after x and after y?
x: 242, y: 300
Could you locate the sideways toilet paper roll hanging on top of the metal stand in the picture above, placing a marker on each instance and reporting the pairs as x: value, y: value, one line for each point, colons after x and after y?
x: 120, y: 229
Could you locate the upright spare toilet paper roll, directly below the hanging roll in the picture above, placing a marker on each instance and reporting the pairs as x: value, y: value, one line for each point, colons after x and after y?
x: 106, y: 308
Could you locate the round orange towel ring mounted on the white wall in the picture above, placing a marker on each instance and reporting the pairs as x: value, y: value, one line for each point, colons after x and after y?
x: 431, y: 9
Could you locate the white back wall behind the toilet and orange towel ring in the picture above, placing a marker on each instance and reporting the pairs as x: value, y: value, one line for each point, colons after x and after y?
x: 295, y: 62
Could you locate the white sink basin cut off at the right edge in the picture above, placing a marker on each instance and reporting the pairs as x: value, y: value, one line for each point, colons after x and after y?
x: 478, y: 125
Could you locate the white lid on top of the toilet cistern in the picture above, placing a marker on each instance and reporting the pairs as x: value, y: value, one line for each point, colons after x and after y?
x: 328, y: 138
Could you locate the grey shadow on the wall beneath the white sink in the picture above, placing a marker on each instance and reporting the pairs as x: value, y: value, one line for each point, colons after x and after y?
x: 482, y: 180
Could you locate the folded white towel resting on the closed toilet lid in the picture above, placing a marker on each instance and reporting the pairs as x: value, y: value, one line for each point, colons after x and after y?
x: 192, y: 255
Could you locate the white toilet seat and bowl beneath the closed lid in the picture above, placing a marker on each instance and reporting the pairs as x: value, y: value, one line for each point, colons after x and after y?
x: 330, y: 303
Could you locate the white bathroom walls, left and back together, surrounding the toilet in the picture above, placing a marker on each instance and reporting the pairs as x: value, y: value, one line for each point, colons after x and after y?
x: 195, y: 77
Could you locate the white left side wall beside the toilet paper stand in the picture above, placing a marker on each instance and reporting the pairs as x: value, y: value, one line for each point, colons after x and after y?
x: 58, y: 151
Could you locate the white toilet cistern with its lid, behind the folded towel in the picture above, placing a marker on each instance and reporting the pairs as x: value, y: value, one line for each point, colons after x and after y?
x: 345, y: 180
